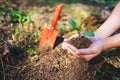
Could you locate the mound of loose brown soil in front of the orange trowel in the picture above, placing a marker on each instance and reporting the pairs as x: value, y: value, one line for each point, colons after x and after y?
x: 58, y: 65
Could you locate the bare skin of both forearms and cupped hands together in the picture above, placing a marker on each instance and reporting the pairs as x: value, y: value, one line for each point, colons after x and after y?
x: 102, y: 39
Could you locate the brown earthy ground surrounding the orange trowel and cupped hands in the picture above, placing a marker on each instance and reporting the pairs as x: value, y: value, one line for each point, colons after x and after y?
x: 55, y: 64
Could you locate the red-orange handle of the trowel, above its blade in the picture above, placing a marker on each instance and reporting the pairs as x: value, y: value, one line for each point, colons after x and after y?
x: 56, y: 15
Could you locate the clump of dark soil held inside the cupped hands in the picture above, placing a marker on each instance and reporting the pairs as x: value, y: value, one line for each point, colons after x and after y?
x: 80, y: 42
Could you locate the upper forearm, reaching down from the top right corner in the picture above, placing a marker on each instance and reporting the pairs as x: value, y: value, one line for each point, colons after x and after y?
x: 111, y: 24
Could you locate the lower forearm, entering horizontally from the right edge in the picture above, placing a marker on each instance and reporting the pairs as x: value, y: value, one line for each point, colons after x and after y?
x: 111, y: 42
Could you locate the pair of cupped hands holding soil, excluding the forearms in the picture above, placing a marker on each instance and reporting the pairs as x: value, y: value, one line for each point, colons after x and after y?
x: 85, y: 53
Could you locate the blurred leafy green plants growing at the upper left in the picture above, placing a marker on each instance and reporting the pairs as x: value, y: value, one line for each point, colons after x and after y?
x: 15, y: 16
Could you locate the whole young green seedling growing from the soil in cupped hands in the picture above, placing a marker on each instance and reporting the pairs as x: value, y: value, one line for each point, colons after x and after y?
x: 74, y: 26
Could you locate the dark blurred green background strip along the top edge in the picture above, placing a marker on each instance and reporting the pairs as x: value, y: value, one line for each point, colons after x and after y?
x: 100, y: 3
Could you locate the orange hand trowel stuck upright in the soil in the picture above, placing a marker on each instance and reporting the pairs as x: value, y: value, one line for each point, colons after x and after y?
x: 49, y: 35
